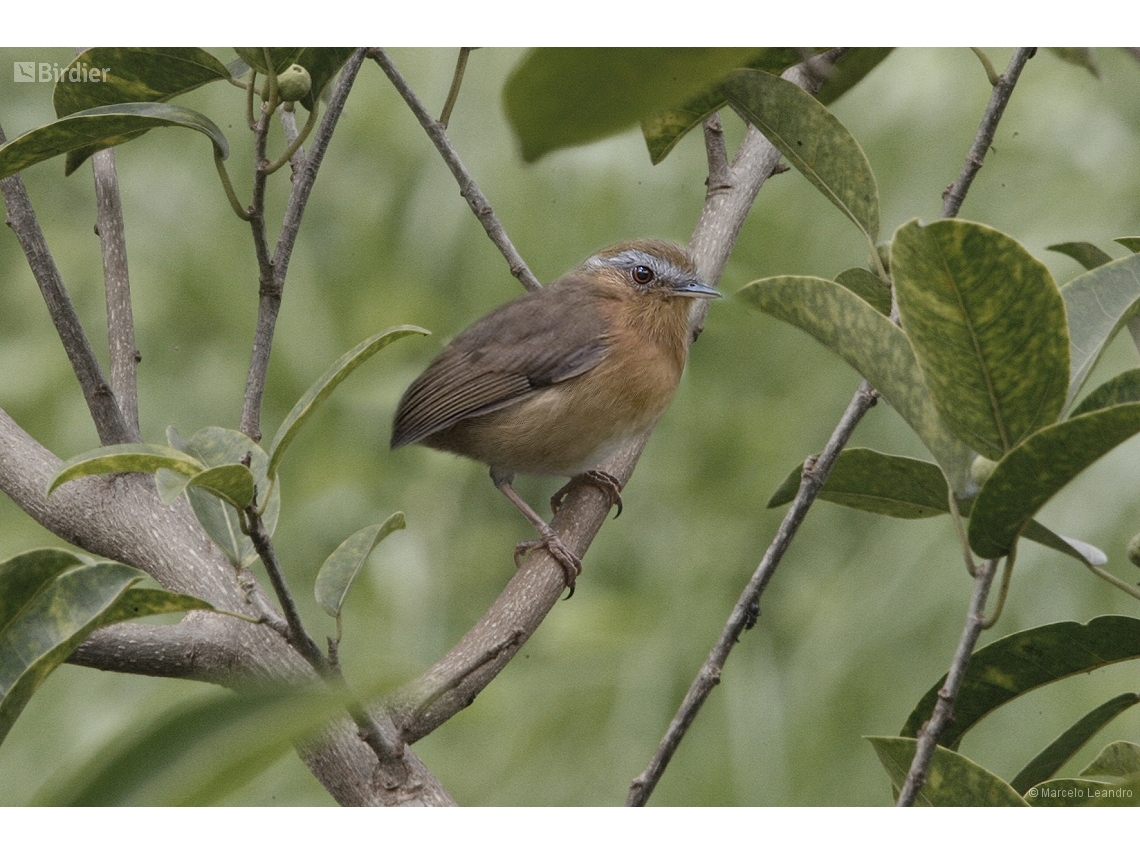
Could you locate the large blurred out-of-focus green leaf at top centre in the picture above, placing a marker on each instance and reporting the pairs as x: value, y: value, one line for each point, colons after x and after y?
x: 560, y: 97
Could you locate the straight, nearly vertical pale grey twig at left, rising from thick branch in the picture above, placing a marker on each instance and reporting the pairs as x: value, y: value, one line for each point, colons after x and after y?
x: 125, y: 355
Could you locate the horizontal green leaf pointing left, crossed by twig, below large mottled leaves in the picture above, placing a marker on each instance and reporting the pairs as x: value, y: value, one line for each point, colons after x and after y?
x: 883, y: 484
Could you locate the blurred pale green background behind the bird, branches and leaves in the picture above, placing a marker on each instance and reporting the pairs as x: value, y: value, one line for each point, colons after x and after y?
x: 864, y: 615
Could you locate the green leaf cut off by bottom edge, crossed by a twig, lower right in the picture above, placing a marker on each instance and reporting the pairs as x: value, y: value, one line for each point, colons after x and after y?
x: 952, y: 780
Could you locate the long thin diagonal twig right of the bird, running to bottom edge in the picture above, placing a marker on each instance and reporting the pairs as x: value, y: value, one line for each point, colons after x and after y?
x: 747, y: 609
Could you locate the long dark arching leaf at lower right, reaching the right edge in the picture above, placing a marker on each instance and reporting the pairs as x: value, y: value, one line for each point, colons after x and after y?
x: 1023, y: 662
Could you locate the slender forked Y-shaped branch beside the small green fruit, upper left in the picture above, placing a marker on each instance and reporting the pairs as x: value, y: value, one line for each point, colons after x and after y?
x: 272, y: 278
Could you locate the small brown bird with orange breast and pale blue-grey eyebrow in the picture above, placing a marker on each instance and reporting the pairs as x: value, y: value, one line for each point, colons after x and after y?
x: 555, y: 382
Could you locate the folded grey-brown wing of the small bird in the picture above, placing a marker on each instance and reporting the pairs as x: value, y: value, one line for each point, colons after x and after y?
x: 527, y: 345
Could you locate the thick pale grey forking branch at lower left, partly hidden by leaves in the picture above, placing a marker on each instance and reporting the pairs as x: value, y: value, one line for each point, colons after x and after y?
x: 123, y: 518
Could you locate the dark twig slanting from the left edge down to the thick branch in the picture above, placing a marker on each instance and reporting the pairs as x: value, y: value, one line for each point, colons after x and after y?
x: 101, y: 400
